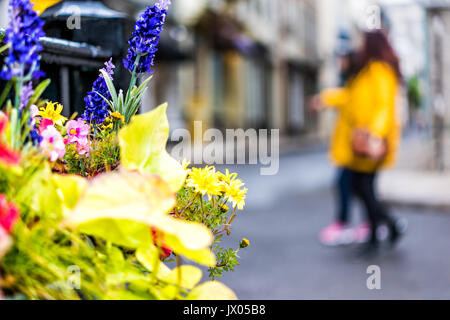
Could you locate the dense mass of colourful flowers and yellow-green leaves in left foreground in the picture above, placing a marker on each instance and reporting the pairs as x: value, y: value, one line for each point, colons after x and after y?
x: 48, y: 237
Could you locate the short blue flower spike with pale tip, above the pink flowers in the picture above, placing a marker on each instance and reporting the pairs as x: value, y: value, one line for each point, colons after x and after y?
x: 96, y: 107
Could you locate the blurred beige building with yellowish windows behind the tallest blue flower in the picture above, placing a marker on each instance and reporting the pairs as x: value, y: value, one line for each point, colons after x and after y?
x: 248, y: 64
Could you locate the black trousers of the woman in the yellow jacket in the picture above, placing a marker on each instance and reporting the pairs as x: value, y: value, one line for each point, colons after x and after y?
x: 364, y: 188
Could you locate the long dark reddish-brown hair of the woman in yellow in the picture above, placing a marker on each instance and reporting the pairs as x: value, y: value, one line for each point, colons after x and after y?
x: 377, y: 48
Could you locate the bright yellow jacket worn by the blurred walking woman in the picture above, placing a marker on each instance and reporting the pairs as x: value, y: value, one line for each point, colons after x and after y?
x: 368, y: 101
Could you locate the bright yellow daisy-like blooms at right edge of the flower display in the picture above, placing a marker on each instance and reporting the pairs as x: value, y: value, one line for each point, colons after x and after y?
x: 214, y: 183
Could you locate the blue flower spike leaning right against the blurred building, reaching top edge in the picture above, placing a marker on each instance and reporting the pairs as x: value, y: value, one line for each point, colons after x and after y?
x: 145, y: 38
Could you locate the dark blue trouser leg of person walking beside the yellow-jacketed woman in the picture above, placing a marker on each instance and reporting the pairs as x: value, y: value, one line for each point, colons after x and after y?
x: 343, y: 194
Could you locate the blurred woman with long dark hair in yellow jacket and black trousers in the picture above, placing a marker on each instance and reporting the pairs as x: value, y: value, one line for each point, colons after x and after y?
x: 368, y: 120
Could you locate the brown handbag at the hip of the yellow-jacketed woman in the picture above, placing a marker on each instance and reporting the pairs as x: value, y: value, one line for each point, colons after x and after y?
x: 365, y: 145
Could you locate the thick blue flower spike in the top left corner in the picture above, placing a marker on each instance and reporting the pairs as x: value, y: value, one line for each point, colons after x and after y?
x: 22, y: 35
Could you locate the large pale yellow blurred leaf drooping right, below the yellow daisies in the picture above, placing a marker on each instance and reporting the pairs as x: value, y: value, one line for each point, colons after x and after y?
x: 120, y: 207
